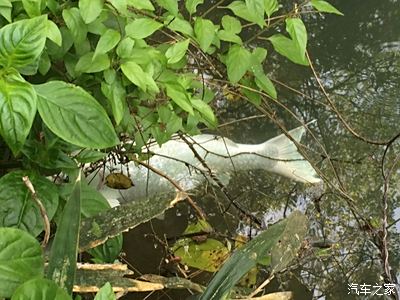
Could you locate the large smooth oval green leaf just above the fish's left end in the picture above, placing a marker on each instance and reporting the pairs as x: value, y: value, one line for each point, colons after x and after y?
x: 74, y: 115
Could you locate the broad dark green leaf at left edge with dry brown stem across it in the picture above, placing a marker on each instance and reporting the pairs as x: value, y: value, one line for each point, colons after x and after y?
x: 18, y: 209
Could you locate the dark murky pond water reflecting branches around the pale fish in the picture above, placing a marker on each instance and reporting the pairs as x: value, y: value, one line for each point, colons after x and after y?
x: 357, y: 59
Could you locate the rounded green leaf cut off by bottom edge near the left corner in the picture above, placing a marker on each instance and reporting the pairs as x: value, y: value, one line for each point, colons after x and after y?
x: 40, y: 289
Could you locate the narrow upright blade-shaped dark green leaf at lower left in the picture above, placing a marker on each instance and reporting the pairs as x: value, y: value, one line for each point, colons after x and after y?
x: 64, y: 250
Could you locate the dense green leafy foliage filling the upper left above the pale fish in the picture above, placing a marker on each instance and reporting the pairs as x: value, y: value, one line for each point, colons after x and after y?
x: 78, y: 79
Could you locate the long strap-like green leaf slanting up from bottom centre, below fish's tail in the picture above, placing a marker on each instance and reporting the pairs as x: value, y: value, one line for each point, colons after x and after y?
x: 247, y: 257
